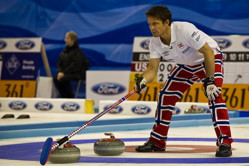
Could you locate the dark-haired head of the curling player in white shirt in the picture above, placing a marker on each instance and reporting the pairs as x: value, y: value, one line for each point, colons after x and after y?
x: 159, y: 20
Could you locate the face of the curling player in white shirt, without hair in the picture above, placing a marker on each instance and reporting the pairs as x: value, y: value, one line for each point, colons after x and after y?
x: 157, y: 27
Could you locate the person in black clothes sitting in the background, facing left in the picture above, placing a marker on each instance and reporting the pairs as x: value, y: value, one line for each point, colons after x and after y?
x: 70, y: 66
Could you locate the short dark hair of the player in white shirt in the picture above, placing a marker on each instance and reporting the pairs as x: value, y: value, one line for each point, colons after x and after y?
x: 160, y: 12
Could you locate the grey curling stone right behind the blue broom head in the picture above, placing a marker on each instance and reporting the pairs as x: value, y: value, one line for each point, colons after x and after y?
x: 66, y: 153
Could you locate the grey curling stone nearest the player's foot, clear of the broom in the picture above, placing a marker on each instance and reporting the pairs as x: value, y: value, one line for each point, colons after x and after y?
x: 109, y: 147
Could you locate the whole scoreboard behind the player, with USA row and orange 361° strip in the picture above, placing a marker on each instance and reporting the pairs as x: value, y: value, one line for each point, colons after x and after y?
x: 235, y: 88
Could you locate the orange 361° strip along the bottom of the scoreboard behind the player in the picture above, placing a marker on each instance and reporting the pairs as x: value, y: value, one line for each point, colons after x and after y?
x: 235, y: 95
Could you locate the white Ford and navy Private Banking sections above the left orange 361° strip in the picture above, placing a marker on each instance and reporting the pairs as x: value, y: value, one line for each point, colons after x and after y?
x: 20, y: 58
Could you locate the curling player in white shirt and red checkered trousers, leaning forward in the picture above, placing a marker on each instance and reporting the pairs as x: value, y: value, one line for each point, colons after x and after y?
x: 197, y: 56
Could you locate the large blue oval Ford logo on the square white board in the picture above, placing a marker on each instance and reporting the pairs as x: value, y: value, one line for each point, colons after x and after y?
x: 108, y: 88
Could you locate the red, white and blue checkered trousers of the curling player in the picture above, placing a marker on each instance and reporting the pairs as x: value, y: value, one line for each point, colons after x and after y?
x: 180, y: 79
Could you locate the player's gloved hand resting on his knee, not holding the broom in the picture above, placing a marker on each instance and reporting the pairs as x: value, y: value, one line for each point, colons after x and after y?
x: 210, y: 90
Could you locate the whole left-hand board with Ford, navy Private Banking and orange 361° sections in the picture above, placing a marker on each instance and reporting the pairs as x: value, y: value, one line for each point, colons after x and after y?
x: 19, y: 69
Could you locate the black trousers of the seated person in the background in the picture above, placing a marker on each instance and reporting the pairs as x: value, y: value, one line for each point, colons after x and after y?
x: 64, y: 86
